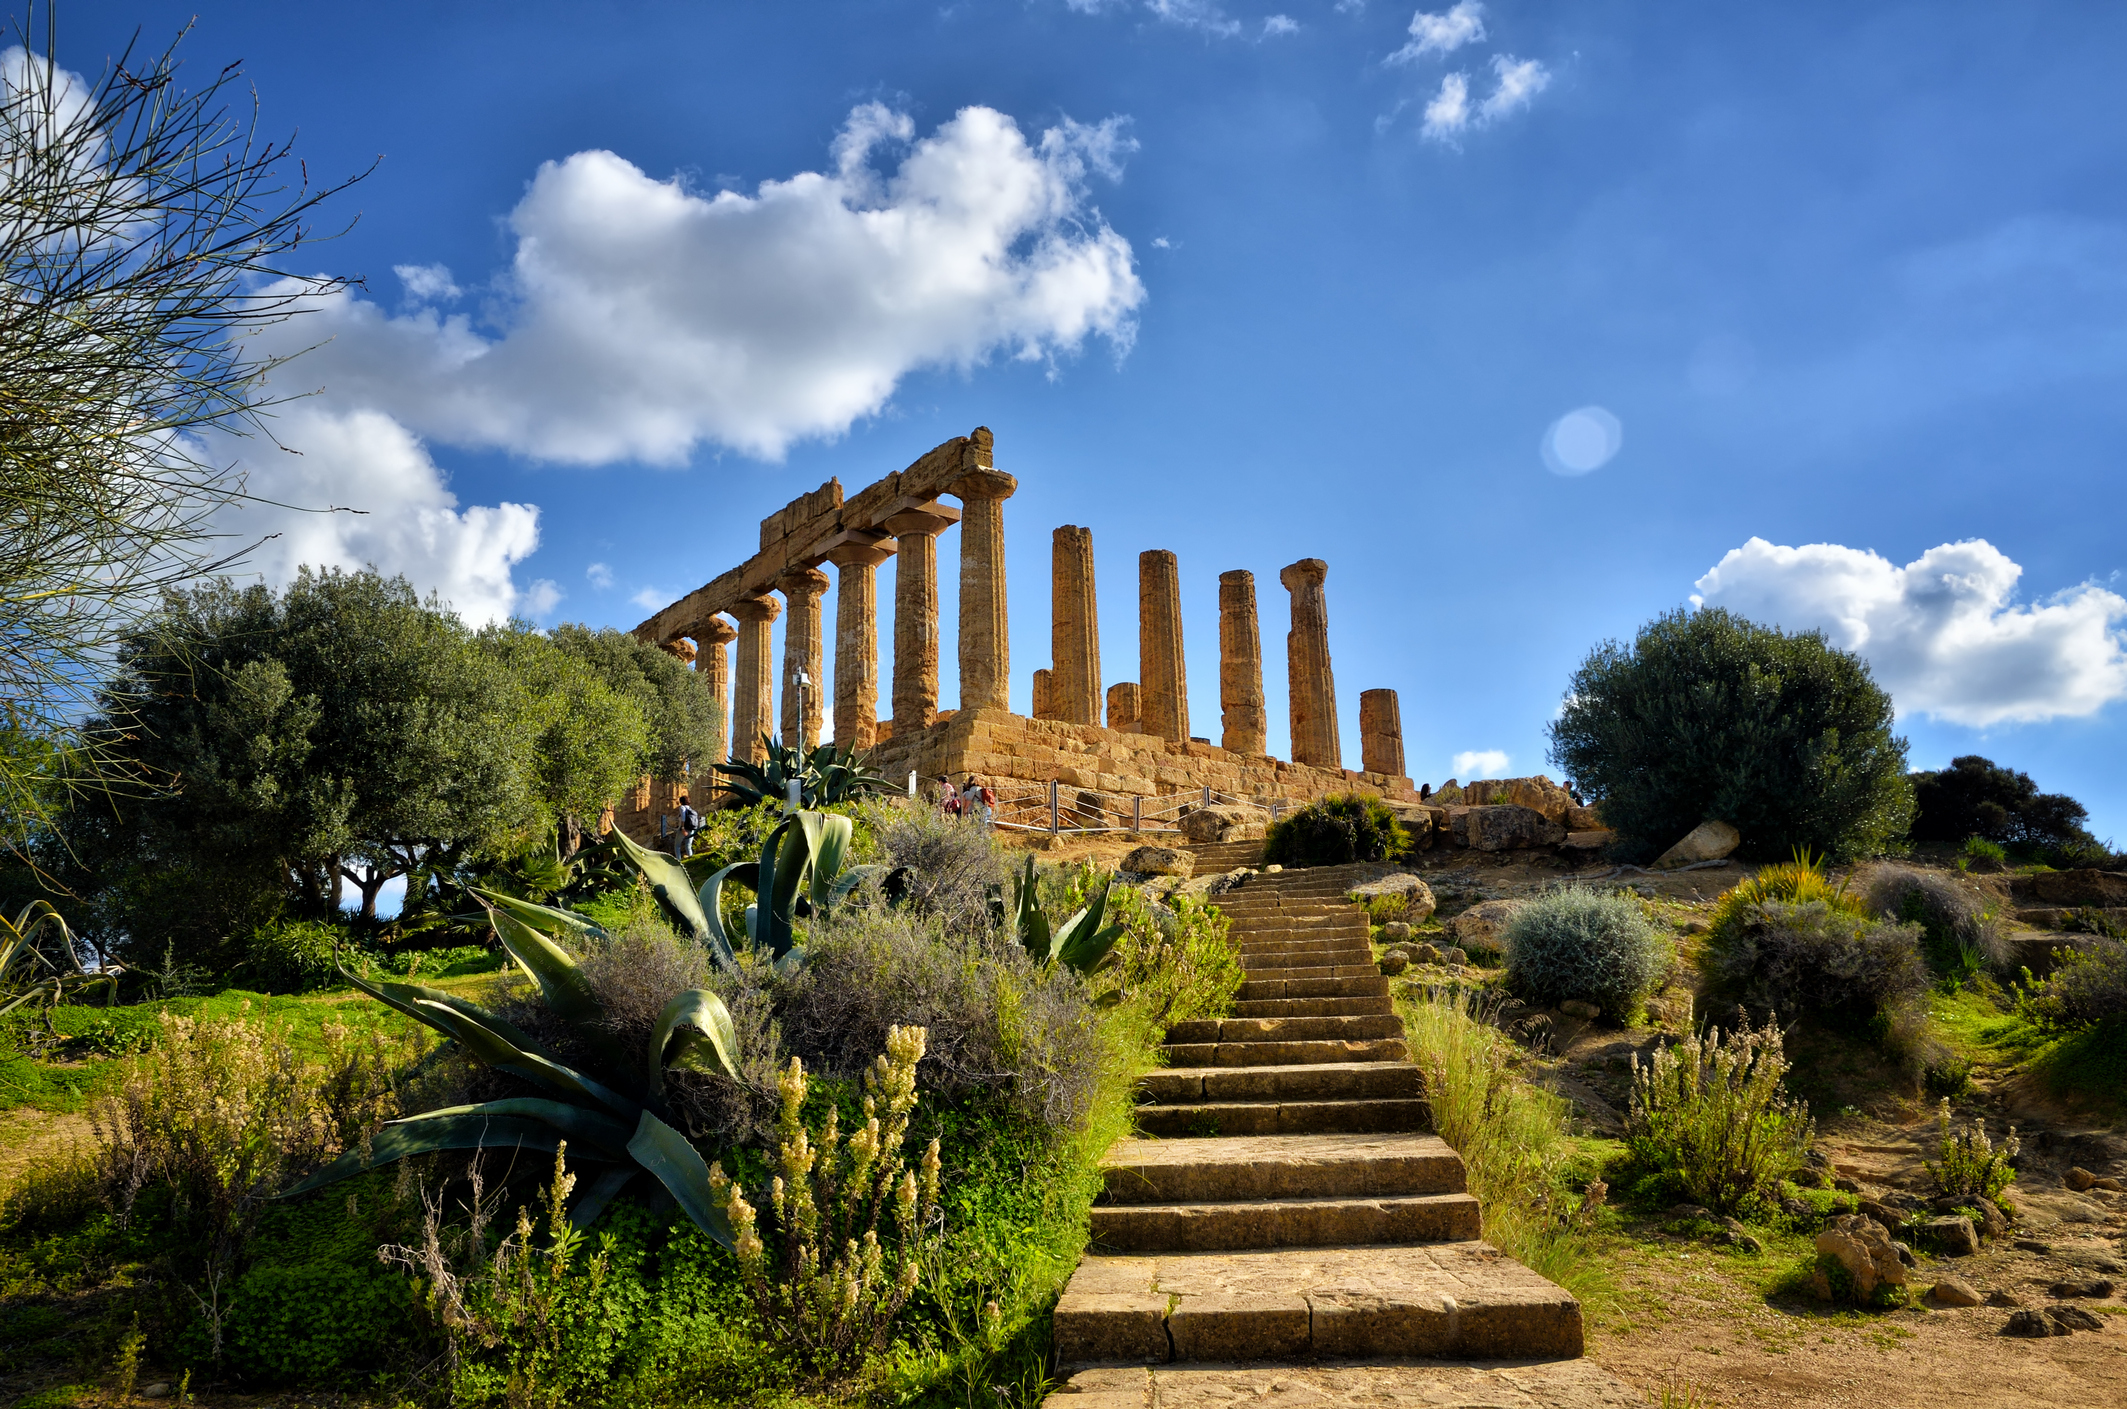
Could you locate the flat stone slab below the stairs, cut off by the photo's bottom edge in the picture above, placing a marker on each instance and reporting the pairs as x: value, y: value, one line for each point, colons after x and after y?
x: 1356, y: 1385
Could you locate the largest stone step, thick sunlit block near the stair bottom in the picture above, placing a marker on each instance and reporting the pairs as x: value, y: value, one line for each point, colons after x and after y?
x: 1450, y: 1302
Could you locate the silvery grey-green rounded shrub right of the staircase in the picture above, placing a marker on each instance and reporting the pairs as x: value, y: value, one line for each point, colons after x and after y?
x: 1586, y: 944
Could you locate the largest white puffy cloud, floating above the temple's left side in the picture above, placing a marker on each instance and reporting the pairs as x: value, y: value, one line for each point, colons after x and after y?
x: 648, y: 318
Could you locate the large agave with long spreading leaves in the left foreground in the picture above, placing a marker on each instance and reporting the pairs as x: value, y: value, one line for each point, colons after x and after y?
x: 609, y: 1108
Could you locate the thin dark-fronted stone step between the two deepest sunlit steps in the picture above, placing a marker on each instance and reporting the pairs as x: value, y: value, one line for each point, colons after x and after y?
x: 1286, y: 1223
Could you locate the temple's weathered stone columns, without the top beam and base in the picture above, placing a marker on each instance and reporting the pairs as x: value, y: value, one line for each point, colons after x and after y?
x: 1156, y: 703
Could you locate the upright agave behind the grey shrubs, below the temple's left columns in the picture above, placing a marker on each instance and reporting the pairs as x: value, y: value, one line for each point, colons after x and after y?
x: 799, y: 874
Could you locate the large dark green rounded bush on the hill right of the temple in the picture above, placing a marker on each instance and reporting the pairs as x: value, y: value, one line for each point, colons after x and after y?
x: 1711, y: 716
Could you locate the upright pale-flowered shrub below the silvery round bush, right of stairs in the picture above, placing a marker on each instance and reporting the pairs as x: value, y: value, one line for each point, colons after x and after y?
x: 1711, y: 1116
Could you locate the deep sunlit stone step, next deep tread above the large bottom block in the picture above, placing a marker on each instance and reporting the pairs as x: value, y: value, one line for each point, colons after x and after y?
x: 1279, y: 1167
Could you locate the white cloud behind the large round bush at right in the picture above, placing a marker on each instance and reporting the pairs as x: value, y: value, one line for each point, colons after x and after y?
x: 1943, y: 633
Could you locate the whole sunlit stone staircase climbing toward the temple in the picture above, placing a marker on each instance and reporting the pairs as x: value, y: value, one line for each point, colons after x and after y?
x: 1290, y: 1201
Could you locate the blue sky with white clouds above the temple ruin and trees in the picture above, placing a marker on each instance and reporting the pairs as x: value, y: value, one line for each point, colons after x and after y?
x: 1279, y: 282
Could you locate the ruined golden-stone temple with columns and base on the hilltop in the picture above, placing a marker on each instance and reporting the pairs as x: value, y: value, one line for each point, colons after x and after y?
x: 1111, y: 755
